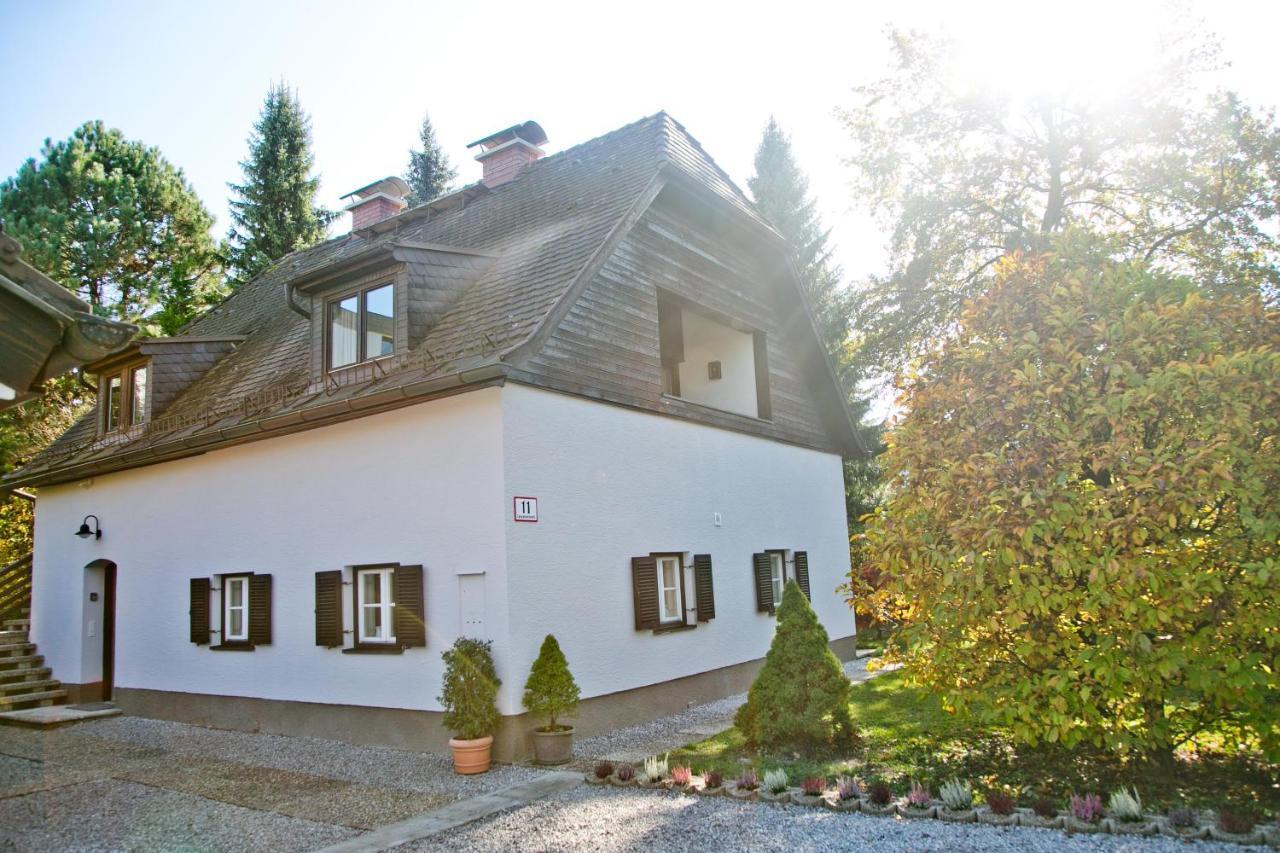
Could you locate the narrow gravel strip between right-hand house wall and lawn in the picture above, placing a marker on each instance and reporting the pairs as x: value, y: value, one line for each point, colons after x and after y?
x: 636, y: 743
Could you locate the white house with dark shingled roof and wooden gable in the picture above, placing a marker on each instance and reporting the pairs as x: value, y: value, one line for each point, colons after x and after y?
x: 584, y: 396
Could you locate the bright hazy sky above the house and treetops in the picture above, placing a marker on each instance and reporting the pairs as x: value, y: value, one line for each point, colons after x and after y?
x: 190, y: 77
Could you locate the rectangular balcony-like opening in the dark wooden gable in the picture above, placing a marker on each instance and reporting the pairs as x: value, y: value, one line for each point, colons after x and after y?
x: 712, y: 361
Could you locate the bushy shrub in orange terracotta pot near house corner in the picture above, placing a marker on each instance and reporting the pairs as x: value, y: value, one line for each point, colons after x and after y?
x: 470, y: 701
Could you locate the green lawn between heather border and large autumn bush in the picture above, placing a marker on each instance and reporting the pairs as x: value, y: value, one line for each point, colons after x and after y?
x: 908, y: 736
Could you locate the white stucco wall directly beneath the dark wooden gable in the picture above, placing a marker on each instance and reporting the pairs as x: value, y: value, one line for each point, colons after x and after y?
x: 614, y: 483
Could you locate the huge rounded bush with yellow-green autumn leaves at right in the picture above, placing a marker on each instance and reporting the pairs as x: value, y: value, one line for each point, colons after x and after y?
x: 1091, y: 464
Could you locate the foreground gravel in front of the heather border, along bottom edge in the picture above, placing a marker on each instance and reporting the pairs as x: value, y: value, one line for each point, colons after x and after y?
x: 609, y: 819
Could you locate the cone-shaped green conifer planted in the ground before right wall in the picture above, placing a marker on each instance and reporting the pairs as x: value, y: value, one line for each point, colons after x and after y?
x: 801, y: 697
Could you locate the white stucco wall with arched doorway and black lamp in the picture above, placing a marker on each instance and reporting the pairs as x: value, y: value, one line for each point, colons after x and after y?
x: 417, y: 486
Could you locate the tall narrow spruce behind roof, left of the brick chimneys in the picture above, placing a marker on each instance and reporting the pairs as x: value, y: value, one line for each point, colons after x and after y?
x: 276, y: 212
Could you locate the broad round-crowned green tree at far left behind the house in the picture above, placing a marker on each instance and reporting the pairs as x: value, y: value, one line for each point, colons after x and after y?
x: 113, y: 221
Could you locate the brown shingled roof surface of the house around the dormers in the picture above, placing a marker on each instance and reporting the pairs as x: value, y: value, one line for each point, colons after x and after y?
x: 545, y: 231
